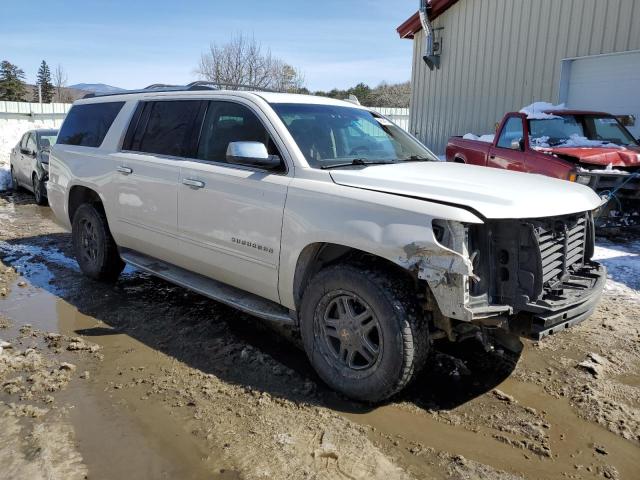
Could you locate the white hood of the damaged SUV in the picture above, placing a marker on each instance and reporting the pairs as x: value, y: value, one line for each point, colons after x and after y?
x: 491, y: 192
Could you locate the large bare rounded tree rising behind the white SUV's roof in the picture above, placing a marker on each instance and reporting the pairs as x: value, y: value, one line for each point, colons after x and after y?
x: 243, y: 61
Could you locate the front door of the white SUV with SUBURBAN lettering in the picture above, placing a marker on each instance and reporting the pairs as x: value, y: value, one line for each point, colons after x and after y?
x: 230, y: 216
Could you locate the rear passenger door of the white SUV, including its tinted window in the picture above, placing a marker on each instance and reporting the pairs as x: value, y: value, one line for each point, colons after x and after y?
x: 148, y: 175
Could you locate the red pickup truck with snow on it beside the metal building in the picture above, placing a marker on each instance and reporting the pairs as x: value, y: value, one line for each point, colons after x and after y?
x: 591, y: 148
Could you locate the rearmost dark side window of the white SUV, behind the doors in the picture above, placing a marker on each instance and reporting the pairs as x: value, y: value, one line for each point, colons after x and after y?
x: 87, y: 125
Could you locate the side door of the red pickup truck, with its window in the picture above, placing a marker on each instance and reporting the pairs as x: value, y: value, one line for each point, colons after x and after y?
x: 509, y: 150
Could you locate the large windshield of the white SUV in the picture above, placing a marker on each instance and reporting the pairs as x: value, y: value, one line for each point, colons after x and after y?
x: 330, y: 136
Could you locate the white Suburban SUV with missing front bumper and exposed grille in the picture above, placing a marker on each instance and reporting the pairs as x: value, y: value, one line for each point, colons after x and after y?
x: 327, y: 216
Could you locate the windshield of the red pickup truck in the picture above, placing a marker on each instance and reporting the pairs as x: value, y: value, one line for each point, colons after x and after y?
x: 579, y: 131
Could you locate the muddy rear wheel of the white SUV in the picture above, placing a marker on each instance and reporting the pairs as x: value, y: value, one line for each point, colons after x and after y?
x: 93, y: 245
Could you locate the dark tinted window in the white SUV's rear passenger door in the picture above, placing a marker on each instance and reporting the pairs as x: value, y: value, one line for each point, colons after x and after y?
x: 164, y: 127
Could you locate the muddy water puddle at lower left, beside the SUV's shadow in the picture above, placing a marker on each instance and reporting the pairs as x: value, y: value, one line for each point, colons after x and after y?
x: 118, y: 436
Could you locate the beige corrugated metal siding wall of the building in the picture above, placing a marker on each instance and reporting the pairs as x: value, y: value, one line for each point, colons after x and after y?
x: 499, y: 55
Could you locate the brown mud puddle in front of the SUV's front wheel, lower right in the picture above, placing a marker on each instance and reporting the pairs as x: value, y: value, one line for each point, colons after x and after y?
x: 576, y: 447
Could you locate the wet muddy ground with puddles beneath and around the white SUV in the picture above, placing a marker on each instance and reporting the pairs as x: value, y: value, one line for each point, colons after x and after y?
x: 142, y: 379
